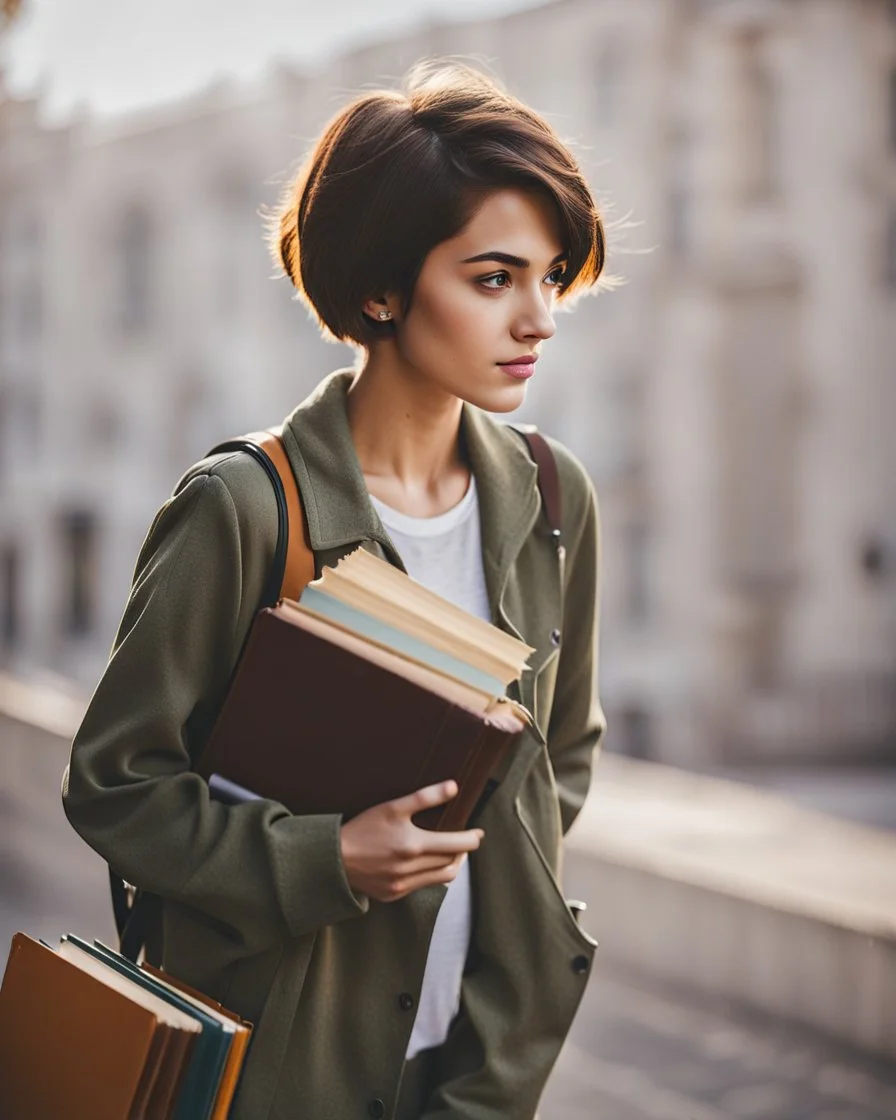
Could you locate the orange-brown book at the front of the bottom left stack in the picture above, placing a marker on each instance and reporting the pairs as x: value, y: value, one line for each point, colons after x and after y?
x: 71, y: 1044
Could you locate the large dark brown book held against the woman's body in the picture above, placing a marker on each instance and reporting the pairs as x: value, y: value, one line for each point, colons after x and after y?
x: 326, y: 729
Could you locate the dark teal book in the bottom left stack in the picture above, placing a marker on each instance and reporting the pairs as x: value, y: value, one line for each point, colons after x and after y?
x: 197, y: 1099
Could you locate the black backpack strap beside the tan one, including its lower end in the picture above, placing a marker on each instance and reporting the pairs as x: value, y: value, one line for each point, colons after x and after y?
x: 138, y: 913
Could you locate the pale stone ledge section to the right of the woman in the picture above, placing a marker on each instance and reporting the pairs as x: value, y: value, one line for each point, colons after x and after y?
x: 743, y: 894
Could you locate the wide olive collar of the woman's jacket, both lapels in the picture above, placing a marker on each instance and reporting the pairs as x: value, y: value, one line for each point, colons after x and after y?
x: 319, y: 442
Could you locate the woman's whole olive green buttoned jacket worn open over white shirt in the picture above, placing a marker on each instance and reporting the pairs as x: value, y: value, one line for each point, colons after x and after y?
x: 258, y: 911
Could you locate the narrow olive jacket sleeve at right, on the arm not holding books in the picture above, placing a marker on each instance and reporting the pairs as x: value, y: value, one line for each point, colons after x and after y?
x: 577, y: 725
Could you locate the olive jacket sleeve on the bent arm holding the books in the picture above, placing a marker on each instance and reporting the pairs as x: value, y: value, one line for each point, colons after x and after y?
x: 129, y: 790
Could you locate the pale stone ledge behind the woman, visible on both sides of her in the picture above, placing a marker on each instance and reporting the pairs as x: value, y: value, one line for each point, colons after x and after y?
x: 704, y: 882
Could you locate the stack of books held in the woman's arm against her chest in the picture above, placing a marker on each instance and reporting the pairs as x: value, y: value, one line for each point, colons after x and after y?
x: 369, y: 688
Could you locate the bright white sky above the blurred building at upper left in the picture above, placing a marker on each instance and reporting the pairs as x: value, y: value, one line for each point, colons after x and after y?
x: 116, y: 55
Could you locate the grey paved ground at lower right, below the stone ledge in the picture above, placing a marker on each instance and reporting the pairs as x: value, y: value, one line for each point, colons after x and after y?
x: 643, y: 1052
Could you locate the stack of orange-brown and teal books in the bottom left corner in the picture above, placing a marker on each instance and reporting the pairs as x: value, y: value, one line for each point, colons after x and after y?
x: 87, y: 1035
